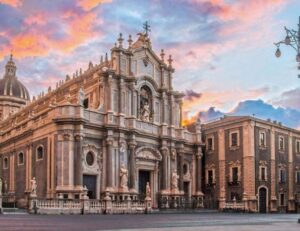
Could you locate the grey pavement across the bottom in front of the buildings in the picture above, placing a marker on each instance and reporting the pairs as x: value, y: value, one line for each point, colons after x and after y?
x: 155, y: 222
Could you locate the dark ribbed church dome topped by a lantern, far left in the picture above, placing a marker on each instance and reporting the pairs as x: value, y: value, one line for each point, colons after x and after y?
x: 10, y: 85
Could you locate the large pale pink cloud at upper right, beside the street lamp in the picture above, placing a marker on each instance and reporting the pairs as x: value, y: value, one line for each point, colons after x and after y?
x: 246, y: 24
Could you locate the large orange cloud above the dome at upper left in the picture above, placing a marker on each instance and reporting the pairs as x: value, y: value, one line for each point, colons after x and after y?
x: 78, y: 29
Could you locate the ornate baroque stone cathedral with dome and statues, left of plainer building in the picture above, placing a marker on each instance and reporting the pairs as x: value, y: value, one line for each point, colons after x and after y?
x: 111, y: 128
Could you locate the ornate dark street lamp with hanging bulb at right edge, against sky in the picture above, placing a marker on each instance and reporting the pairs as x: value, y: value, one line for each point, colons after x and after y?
x: 292, y: 39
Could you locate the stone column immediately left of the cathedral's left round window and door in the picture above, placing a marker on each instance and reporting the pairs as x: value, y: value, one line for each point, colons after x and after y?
x: 78, y: 159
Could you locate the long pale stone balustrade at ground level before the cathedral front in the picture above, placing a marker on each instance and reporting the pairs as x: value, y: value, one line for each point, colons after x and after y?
x: 87, y: 206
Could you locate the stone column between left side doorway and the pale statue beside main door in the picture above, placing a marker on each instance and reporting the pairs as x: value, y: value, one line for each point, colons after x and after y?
x: 109, y: 167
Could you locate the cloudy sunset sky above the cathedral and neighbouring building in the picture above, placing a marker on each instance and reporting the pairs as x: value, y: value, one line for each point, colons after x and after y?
x: 223, y: 50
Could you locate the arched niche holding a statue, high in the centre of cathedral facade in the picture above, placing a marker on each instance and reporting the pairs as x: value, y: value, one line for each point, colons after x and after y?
x: 145, y: 104
